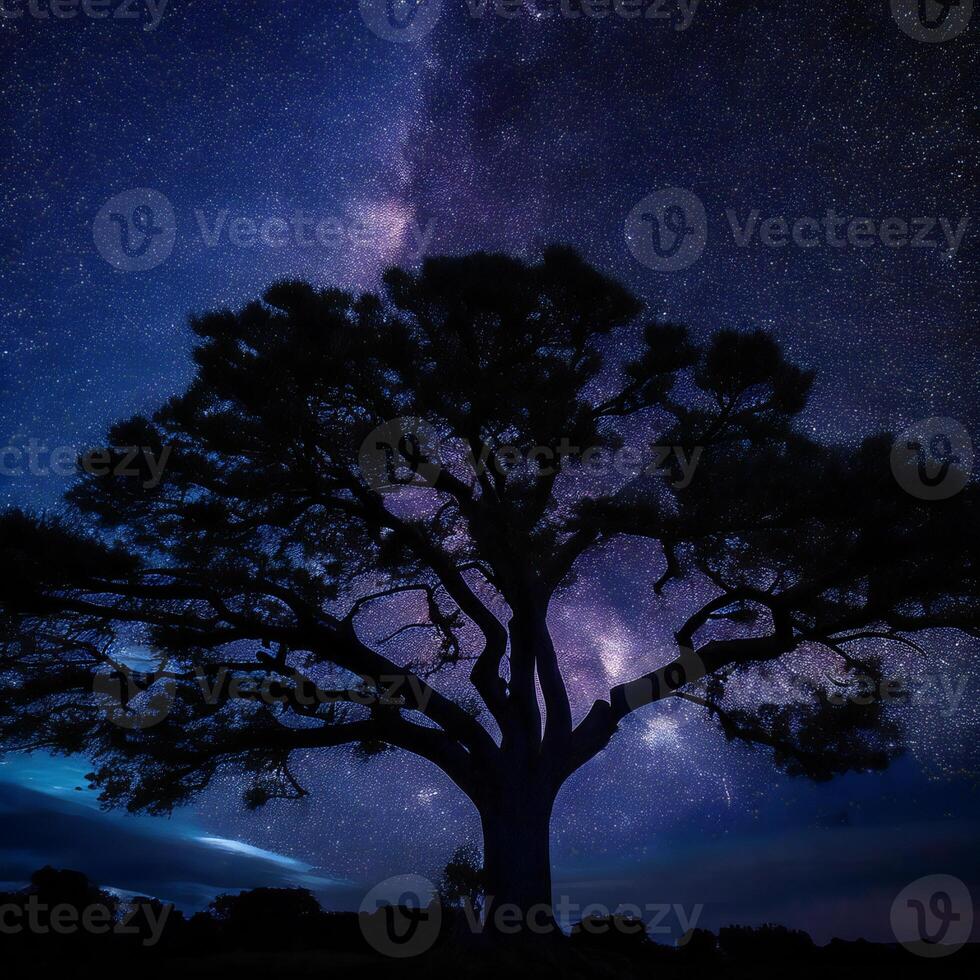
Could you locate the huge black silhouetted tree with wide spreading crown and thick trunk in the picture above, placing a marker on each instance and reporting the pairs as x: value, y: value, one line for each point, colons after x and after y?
x: 301, y: 538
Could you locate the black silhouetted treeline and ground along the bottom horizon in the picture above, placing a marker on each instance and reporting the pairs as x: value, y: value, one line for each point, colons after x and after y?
x: 62, y: 917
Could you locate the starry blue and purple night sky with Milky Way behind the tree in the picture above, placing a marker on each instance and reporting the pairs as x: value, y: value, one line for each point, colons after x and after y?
x: 468, y: 129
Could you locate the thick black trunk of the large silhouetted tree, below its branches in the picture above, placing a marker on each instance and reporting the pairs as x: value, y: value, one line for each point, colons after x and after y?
x: 517, y: 863
